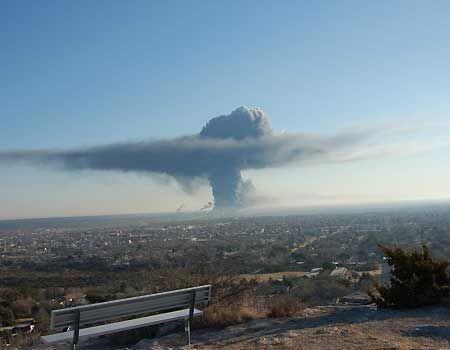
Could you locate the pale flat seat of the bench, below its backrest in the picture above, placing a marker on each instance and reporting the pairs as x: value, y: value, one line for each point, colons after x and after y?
x: 121, y: 326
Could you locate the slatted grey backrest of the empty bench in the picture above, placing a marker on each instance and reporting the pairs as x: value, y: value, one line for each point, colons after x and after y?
x: 146, y: 304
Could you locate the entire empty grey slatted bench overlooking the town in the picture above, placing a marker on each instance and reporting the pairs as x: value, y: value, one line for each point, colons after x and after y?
x: 162, y: 307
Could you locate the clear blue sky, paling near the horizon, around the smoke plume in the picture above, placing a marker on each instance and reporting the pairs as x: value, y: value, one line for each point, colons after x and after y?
x: 94, y: 72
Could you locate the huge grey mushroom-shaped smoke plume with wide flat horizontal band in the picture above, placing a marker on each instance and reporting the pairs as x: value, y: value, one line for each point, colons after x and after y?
x: 224, y: 147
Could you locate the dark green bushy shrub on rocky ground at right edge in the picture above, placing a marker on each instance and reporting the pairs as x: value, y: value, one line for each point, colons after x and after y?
x: 416, y: 279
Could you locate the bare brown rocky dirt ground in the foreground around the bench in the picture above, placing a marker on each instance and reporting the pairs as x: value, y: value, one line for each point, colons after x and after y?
x: 324, y: 328
